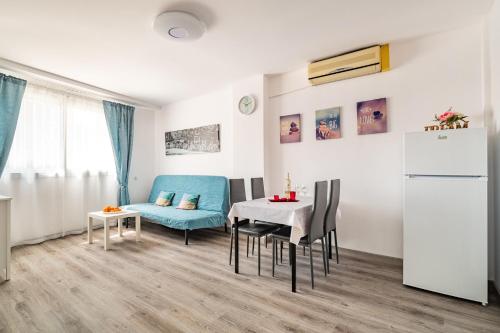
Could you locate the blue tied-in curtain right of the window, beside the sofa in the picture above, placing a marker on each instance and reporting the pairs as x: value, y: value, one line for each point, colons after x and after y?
x: 120, y: 120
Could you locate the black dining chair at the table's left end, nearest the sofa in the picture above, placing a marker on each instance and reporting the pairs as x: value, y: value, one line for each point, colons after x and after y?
x: 255, y: 230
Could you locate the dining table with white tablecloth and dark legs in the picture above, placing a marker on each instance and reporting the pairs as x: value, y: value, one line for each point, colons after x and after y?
x: 294, y: 214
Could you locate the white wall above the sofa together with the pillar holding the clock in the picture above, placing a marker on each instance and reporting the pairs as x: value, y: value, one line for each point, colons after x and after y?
x: 242, y: 136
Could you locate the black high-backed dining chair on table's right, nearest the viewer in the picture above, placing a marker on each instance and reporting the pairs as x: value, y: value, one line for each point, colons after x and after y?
x: 317, y: 230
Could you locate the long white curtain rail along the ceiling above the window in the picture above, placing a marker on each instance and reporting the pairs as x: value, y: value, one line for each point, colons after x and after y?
x: 81, y: 88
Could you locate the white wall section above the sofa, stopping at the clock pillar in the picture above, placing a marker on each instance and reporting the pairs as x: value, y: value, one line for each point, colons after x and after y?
x: 212, y: 108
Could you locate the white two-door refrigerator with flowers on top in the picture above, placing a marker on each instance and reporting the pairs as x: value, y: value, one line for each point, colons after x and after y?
x: 445, y: 212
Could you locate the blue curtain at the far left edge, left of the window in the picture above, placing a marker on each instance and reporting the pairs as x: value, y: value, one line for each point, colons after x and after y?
x: 11, y: 95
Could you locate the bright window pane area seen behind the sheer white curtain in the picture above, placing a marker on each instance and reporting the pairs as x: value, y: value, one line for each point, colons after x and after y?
x: 59, y: 134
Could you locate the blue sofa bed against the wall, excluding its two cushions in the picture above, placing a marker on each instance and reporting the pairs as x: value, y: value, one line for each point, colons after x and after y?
x: 212, y: 210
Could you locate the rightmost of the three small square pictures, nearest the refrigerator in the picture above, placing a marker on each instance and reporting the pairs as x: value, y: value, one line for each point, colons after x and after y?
x: 372, y: 116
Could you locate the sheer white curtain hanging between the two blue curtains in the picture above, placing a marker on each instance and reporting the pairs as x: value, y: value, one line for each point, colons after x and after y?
x: 60, y: 166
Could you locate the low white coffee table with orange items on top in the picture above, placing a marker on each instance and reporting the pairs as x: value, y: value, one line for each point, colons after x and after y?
x: 107, y: 218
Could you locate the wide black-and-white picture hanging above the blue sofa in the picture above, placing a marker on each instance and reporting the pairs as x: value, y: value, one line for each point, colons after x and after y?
x: 204, y: 139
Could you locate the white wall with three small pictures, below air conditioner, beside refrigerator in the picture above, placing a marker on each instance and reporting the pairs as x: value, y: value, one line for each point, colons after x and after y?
x: 428, y: 75
